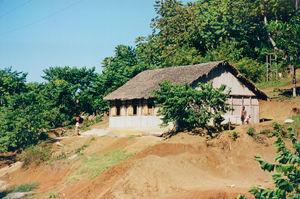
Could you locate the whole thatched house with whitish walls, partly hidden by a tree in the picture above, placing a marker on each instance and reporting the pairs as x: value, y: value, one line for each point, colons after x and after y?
x: 131, y: 105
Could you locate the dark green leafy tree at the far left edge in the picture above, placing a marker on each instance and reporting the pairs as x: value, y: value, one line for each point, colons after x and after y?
x: 22, y: 119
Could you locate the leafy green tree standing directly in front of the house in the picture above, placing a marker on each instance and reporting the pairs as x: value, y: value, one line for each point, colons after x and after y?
x: 188, y: 107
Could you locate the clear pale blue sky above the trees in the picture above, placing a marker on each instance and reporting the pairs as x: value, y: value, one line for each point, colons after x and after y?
x: 37, y: 34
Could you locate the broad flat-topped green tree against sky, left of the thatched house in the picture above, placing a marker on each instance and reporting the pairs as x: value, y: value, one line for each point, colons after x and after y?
x: 66, y: 85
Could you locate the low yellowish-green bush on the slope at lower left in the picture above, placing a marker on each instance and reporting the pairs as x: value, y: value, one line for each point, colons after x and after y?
x: 35, y: 154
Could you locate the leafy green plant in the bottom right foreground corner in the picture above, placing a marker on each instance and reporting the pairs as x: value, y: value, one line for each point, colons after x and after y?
x: 287, y: 173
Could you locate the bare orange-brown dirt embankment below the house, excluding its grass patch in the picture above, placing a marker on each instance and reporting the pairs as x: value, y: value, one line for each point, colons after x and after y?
x: 185, y: 166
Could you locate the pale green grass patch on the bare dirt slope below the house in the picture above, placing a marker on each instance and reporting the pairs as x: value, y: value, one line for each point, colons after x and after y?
x: 94, y: 165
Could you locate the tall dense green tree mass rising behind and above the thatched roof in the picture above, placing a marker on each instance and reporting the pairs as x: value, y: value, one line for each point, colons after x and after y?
x: 213, y: 30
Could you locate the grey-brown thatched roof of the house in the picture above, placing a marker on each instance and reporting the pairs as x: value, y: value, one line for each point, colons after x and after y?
x: 140, y: 86
